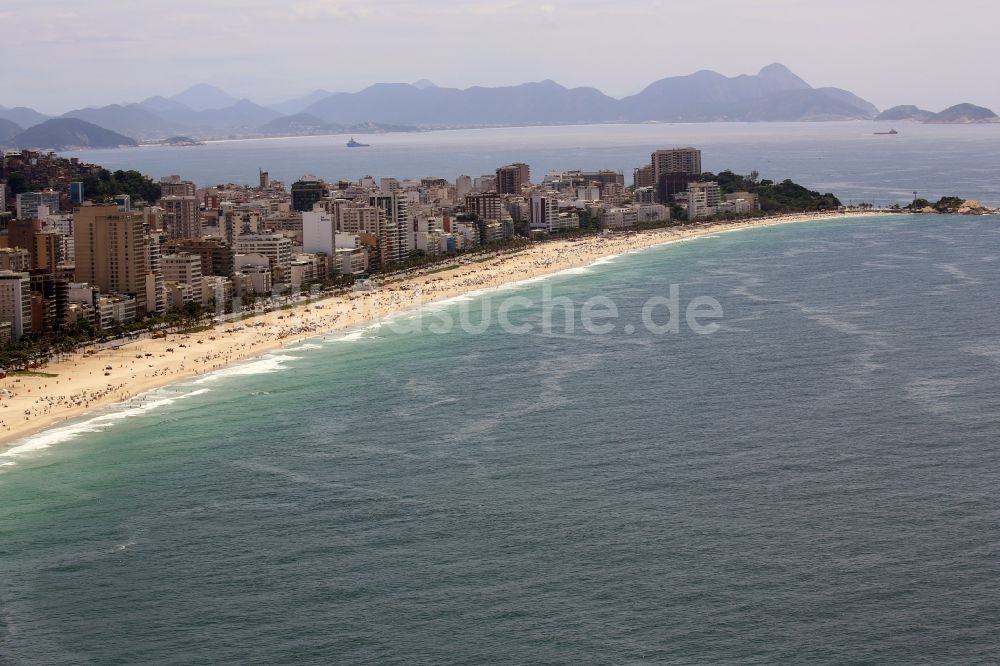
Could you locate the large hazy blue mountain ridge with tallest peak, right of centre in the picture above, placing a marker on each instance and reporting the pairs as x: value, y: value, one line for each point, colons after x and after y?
x: 775, y: 93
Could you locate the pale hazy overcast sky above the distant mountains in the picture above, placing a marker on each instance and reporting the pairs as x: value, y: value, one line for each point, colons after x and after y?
x: 62, y: 54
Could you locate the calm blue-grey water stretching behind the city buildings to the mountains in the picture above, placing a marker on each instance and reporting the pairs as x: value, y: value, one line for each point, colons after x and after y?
x: 845, y: 158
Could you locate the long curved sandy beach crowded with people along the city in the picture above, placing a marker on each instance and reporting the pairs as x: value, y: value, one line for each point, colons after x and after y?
x: 83, y: 384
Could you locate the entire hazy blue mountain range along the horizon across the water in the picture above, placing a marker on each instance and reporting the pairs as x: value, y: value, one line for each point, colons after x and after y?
x: 205, y: 111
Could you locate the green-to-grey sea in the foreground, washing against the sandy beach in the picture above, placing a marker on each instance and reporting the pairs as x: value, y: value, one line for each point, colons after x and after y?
x: 815, y: 482
